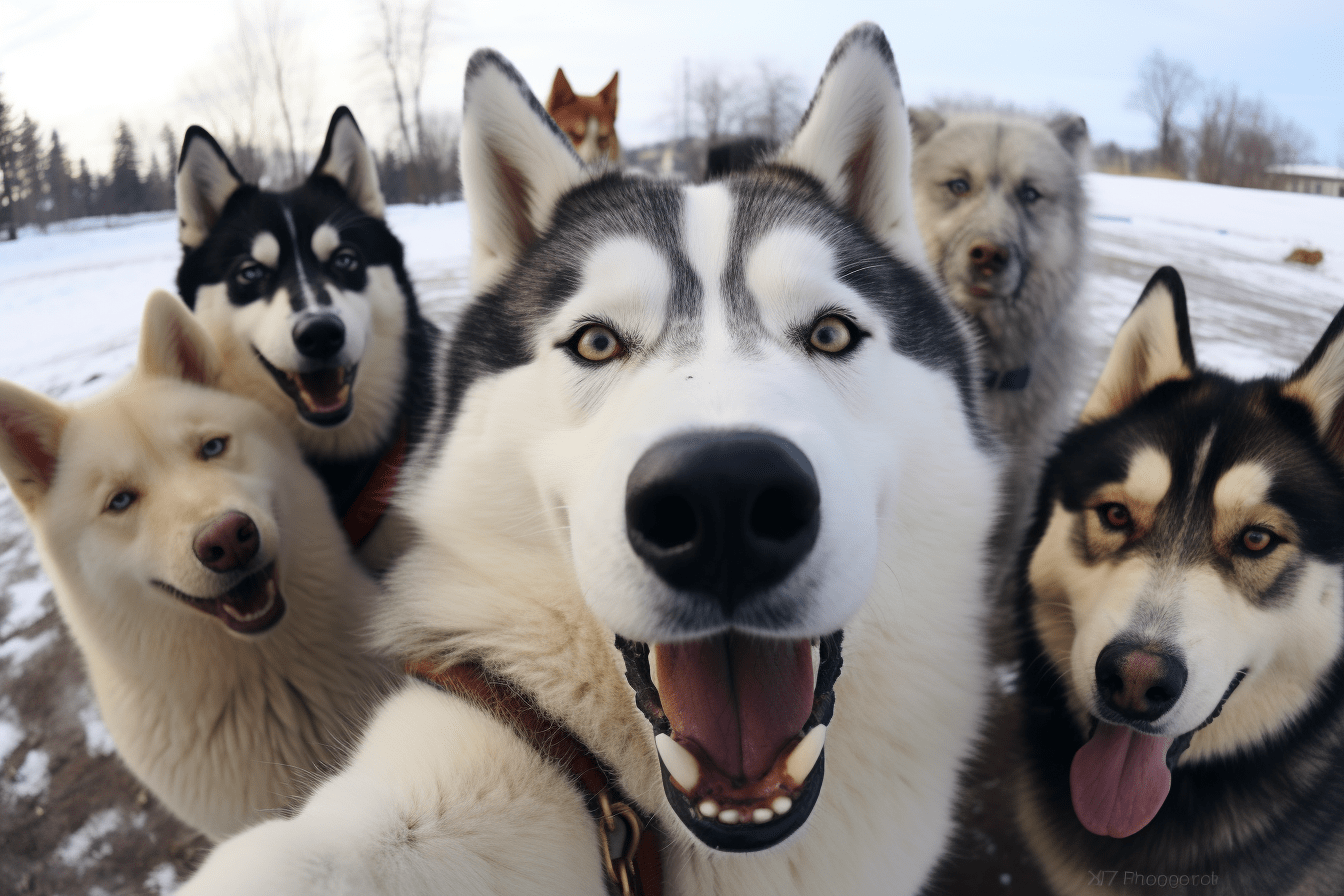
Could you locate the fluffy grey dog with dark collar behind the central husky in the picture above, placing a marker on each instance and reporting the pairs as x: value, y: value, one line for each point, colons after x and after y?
x: 999, y: 199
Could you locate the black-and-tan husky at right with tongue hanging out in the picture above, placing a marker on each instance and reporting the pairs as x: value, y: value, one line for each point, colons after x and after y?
x: 1183, y: 623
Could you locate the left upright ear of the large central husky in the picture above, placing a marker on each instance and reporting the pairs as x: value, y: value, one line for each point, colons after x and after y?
x: 517, y: 165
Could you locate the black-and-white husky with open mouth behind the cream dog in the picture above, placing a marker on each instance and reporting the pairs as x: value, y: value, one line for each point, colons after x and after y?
x: 310, y: 304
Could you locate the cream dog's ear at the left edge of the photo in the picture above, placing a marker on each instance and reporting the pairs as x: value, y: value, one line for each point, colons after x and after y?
x: 30, y: 441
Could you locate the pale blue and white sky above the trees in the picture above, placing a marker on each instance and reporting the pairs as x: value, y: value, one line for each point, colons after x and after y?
x: 80, y: 65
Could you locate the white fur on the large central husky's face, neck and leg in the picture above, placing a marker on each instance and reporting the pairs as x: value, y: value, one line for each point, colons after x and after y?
x: 525, y: 565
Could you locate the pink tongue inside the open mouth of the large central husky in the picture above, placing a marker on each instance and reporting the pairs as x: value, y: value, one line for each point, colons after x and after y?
x: 740, y: 699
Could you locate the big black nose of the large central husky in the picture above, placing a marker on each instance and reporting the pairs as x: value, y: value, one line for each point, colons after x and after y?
x: 722, y: 514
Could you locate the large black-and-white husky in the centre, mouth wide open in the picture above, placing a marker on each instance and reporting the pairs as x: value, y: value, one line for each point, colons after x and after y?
x: 687, y: 439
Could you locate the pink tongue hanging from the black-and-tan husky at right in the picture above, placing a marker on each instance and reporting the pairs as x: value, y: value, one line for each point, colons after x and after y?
x: 1120, y: 780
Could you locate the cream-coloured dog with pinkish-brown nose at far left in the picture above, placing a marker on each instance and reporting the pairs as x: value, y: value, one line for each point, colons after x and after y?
x: 202, y: 576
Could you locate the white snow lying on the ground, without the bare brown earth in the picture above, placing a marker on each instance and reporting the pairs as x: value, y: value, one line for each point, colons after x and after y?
x: 71, y: 304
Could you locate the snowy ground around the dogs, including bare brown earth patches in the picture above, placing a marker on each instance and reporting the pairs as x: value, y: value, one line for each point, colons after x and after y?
x: 72, y: 821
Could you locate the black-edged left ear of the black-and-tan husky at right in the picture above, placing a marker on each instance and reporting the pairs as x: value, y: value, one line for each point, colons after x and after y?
x: 1154, y: 346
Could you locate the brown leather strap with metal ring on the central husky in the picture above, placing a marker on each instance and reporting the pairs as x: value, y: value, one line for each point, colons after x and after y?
x: 638, y: 871
